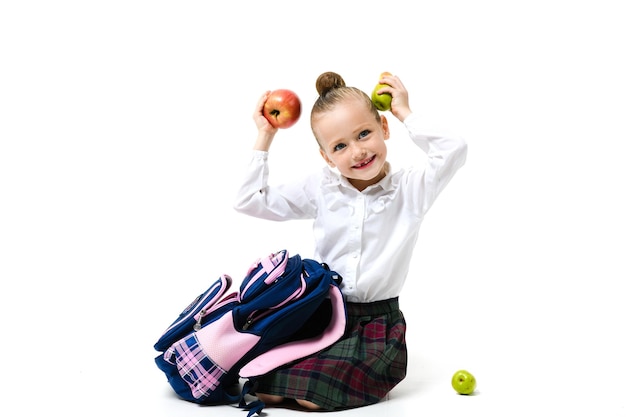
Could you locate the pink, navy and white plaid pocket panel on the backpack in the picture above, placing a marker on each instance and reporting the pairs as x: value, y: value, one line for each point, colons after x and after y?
x: 195, y: 366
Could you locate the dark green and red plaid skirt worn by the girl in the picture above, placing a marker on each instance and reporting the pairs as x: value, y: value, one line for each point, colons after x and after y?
x: 359, y: 369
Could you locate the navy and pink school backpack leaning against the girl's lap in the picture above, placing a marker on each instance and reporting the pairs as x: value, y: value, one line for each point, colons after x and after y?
x: 286, y: 308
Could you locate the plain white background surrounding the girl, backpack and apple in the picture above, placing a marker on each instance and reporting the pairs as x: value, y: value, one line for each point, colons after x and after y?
x: 124, y: 126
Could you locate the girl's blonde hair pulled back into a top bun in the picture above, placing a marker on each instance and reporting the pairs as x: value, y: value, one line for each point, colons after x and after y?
x: 333, y: 90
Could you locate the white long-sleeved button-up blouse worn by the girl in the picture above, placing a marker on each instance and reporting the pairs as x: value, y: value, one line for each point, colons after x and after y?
x: 368, y: 237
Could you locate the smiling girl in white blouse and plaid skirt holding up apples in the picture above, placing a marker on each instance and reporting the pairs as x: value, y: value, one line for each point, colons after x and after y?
x: 366, y: 220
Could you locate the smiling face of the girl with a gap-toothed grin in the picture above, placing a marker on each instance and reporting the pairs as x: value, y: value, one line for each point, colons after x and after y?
x: 354, y: 142
